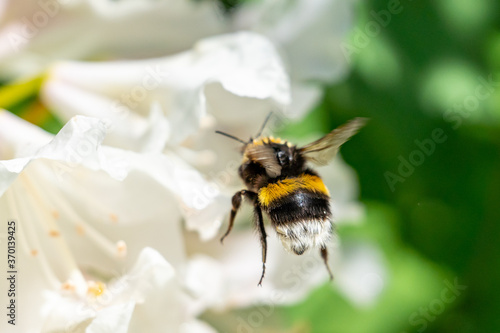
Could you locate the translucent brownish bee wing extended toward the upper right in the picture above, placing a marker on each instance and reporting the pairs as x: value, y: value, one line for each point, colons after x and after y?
x: 322, y: 151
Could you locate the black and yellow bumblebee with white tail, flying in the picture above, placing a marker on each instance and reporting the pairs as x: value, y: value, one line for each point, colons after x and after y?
x: 279, y: 182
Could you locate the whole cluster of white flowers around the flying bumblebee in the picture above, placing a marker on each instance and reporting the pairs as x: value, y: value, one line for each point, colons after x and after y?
x: 105, y: 209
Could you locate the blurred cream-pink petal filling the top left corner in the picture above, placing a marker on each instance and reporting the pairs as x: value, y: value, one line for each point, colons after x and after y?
x: 34, y: 34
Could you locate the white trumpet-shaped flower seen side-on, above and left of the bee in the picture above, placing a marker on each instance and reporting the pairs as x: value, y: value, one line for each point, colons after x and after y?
x: 233, y: 77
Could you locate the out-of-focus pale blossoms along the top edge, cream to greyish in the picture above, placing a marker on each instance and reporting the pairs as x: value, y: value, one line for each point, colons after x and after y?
x: 307, y: 32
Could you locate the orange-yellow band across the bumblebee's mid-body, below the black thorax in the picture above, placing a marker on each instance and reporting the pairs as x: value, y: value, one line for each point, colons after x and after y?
x: 282, y: 188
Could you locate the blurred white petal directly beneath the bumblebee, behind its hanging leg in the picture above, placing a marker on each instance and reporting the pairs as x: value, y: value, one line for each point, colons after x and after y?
x: 238, y: 263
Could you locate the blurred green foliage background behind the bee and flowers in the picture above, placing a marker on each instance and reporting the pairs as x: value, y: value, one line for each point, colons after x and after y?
x: 417, y: 66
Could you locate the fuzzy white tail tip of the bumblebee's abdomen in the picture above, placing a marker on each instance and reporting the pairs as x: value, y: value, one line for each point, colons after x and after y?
x: 299, y: 236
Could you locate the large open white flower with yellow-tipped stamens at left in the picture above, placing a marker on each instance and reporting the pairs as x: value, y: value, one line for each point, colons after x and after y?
x: 74, y: 202
